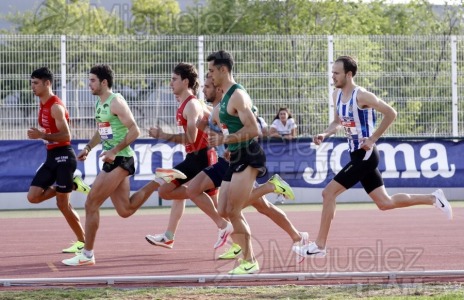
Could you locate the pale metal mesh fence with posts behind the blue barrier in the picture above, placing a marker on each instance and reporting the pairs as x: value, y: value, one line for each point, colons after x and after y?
x: 419, y: 76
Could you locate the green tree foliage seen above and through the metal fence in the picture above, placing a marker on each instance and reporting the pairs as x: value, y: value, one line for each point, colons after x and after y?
x: 287, y: 71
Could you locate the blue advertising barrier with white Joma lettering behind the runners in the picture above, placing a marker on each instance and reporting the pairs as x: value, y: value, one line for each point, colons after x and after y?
x: 404, y: 163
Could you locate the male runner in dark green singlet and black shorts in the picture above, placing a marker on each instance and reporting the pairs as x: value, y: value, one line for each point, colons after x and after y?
x: 247, y: 160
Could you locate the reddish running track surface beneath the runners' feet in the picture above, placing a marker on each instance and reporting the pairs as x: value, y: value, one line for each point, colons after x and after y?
x: 361, y: 240
